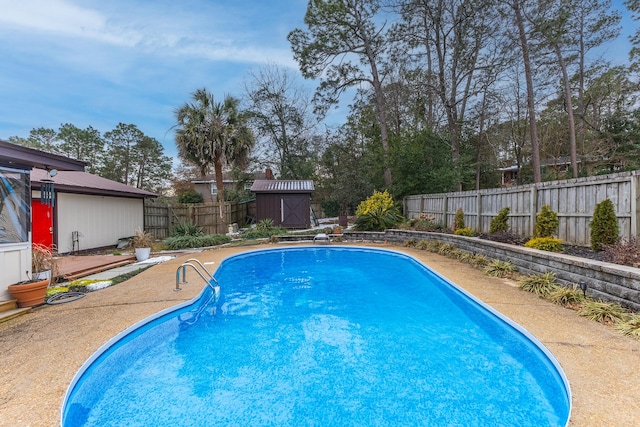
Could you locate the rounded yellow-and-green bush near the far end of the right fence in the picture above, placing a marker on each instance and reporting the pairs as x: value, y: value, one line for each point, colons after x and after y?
x: 377, y: 213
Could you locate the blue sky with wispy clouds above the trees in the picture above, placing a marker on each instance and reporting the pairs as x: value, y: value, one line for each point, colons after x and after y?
x: 99, y: 63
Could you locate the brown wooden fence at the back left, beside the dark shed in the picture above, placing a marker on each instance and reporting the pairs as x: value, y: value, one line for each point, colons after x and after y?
x: 161, y: 219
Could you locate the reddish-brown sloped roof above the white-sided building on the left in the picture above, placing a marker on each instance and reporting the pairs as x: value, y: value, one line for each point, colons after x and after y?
x: 86, y: 183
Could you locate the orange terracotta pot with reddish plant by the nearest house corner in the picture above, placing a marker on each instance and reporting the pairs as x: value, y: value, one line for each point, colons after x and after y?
x: 32, y: 292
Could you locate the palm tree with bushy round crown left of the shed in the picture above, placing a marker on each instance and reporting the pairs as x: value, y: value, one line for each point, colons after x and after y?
x: 213, y: 134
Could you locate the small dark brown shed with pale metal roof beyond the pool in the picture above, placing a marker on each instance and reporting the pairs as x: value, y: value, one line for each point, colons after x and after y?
x: 286, y: 202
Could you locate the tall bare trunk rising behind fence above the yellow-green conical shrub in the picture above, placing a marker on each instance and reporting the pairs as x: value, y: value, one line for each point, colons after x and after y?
x: 533, y: 128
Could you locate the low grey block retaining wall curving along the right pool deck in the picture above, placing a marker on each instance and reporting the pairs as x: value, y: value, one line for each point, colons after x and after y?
x: 605, y: 281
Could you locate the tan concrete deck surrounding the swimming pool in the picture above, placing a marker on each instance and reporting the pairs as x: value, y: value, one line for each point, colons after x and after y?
x: 40, y: 352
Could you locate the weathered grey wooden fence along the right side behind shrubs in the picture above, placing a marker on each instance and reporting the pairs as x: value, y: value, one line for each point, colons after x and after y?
x: 574, y: 201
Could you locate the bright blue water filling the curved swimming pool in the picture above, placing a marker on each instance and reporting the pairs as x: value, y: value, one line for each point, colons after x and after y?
x: 323, y: 336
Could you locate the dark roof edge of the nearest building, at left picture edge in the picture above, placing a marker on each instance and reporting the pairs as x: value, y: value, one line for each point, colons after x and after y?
x: 13, y: 155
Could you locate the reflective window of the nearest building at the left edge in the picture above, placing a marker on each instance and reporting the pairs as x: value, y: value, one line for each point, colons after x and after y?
x: 15, y: 197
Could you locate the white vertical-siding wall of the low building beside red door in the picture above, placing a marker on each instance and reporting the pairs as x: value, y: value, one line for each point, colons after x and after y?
x: 101, y: 220
